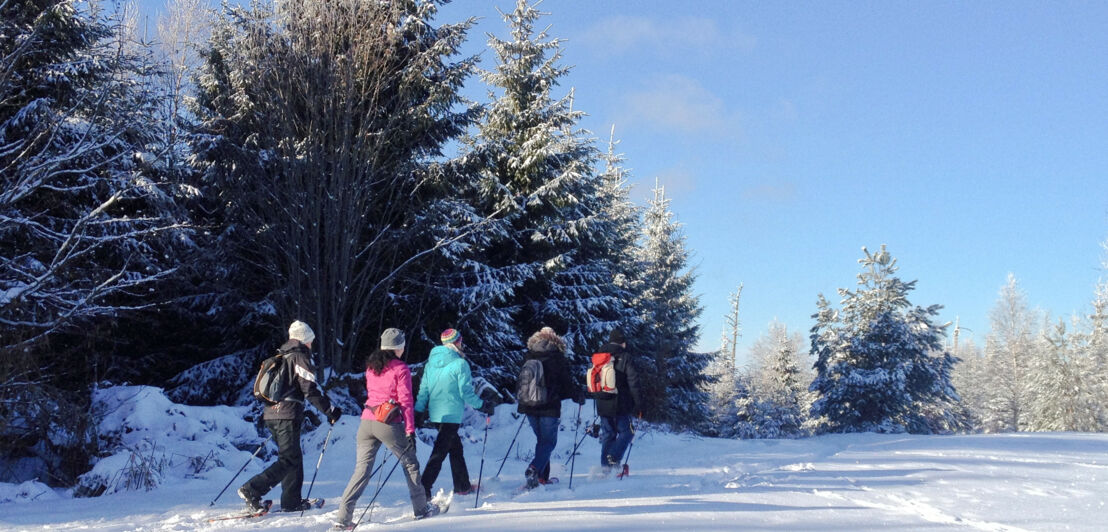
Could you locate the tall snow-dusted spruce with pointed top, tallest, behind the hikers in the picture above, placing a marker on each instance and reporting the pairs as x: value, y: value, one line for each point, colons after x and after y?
x: 558, y: 237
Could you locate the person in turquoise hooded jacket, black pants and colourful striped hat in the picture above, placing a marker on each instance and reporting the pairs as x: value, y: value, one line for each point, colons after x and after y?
x: 446, y: 388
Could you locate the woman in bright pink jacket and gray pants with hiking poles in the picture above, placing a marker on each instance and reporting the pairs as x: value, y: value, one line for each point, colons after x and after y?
x: 388, y: 418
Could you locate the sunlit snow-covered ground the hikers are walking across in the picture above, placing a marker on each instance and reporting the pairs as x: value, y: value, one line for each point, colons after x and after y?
x: 850, y: 483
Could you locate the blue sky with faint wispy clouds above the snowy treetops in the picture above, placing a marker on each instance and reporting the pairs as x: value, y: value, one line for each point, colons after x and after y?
x: 972, y: 138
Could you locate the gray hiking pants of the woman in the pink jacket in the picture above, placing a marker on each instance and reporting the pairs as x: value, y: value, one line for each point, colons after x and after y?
x: 372, y: 434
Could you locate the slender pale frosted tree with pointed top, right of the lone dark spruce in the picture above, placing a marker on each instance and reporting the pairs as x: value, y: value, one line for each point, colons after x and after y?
x: 1010, y: 347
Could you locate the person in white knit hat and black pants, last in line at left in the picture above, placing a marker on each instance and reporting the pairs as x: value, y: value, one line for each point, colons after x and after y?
x: 284, y: 421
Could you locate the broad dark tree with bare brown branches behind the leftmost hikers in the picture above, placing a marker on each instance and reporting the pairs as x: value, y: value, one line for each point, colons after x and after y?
x: 322, y: 129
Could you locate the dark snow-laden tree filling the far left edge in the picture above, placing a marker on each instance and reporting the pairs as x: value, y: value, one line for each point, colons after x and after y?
x: 88, y: 228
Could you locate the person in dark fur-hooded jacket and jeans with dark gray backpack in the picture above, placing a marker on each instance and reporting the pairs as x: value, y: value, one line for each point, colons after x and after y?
x: 541, y: 400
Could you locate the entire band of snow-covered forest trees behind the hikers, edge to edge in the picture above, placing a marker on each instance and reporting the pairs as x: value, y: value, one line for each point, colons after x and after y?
x: 172, y: 200
